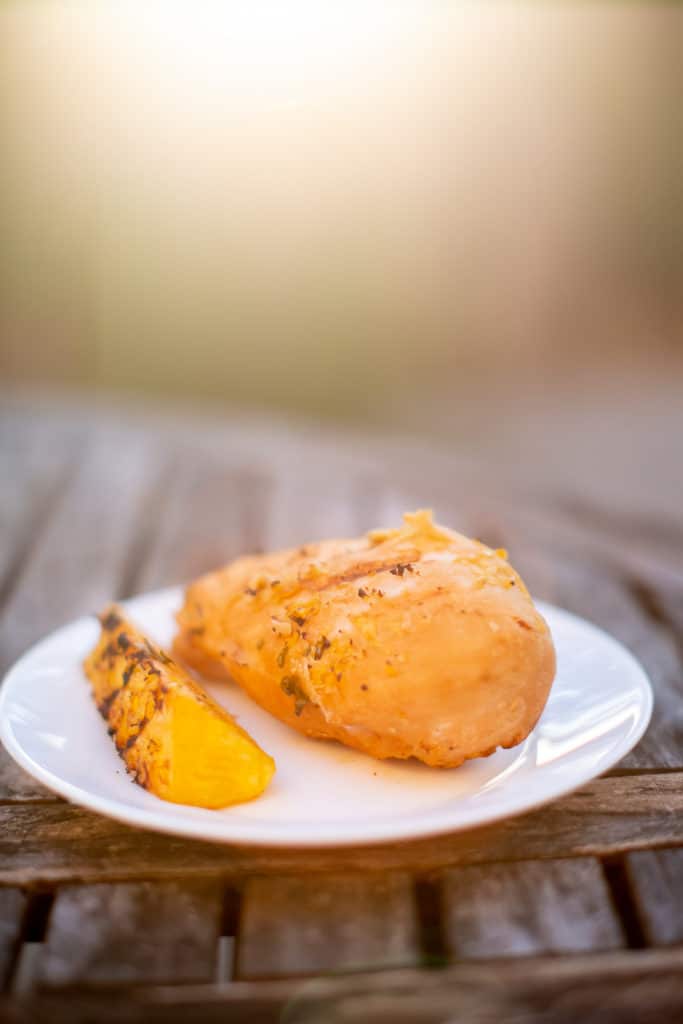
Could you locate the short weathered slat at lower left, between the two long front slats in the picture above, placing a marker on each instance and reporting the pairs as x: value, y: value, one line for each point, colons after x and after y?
x: 143, y: 932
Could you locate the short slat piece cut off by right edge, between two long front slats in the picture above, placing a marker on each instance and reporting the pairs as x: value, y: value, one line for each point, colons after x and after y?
x: 657, y: 884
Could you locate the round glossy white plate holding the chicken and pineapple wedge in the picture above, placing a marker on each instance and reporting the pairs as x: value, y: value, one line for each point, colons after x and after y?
x: 324, y: 794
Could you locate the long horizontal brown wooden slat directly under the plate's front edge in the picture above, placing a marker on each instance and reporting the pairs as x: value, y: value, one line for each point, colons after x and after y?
x: 52, y: 843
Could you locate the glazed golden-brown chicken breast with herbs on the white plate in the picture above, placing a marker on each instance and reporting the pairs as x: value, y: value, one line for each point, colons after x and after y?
x: 411, y: 643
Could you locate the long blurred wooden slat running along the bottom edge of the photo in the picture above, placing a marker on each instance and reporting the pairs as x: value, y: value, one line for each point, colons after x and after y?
x: 623, y: 988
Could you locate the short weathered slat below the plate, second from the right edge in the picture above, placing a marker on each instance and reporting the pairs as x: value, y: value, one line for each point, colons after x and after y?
x: 547, y: 907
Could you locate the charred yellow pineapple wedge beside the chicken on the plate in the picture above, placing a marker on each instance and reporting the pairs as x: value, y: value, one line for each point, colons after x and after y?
x: 177, y: 742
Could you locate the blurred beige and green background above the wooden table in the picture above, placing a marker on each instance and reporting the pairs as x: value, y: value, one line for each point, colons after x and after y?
x: 450, y: 221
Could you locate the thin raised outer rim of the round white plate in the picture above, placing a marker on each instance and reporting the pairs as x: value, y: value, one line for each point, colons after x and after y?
x: 226, y: 833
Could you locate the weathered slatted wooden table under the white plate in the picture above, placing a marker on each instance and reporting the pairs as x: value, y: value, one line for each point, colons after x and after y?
x: 571, y: 913
